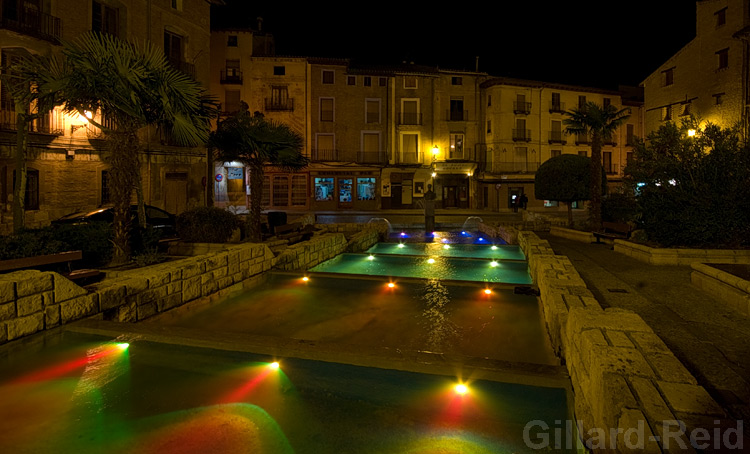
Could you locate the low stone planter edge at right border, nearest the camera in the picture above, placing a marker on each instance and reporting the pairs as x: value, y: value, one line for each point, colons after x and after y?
x: 731, y: 289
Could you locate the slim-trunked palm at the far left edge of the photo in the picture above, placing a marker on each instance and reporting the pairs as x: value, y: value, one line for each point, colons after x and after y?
x: 22, y: 77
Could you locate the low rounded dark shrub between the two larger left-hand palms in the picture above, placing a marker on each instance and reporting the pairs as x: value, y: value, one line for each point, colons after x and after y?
x: 206, y: 225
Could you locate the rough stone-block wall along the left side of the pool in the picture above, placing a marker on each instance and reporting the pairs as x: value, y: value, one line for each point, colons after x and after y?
x: 33, y: 301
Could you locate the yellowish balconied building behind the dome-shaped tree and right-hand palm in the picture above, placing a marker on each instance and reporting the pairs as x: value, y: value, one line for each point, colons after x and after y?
x: 523, y: 127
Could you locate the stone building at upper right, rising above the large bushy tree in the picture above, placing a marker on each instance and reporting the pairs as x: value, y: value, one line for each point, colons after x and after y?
x: 708, y: 78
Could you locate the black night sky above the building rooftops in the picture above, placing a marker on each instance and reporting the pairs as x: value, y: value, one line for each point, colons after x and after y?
x: 592, y: 43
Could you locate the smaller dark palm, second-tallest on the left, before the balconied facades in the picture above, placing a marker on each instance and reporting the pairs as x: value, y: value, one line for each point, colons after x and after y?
x: 255, y: 142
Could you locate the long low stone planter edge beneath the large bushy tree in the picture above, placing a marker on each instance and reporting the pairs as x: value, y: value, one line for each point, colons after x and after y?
x: 675, y: 256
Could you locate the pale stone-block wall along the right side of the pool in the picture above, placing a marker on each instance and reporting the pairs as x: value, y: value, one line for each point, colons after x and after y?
x: 623, y: 376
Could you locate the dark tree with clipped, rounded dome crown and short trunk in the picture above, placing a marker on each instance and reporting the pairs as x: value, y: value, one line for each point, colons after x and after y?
x: 565, y: 178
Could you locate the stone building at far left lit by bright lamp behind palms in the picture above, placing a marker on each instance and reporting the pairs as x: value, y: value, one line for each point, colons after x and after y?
x: 66, y: 163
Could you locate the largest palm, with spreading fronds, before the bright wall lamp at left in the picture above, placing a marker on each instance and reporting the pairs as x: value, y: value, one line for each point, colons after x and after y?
x: 133, y: 86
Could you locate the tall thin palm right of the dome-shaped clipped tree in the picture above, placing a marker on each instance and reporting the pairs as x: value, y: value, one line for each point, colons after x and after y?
x: 600, y: 123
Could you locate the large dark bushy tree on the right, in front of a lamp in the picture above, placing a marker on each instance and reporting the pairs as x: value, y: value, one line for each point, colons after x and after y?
x: 692, y: 191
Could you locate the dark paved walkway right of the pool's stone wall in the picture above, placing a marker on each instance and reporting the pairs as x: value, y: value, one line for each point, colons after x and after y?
x: 712, y: 341
